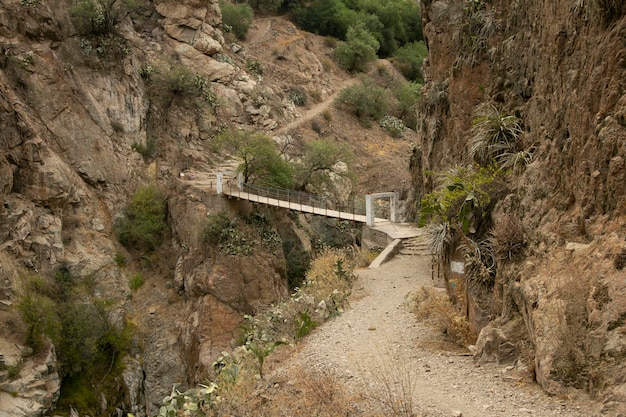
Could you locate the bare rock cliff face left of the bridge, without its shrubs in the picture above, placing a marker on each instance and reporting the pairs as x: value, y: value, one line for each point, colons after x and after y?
x: 73, y: 107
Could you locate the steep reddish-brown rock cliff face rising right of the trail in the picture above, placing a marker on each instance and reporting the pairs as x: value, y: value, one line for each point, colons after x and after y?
x: 559, y: 67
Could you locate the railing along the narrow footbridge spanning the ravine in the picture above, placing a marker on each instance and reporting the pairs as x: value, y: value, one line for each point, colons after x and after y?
x: 356, y: 207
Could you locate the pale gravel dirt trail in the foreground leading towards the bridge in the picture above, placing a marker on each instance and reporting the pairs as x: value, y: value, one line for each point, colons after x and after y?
x: 379, y: 338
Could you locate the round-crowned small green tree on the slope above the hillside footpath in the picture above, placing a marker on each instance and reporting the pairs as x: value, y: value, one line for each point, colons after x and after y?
x: 359, y: 49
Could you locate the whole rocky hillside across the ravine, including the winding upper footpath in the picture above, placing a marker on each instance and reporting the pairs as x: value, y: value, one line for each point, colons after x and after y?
x: 95, y: 107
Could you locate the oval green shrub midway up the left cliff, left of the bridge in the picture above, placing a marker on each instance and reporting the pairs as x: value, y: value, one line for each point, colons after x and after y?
x: 143, y: 225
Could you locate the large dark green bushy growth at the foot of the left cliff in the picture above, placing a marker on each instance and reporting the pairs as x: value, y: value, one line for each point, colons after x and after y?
x: 89, y: 346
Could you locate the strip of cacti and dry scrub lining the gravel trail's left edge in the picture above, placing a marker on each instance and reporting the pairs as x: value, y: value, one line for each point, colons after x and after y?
x: 233, y: 389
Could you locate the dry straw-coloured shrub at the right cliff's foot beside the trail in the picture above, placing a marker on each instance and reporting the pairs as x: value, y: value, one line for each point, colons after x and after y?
x: 435, y: 307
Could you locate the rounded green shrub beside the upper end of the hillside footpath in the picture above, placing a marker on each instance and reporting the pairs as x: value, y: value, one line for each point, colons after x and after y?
x: 366, y: 101
